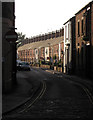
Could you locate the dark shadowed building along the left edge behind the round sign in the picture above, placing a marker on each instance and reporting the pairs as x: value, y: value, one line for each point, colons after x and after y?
x: 8, y: 49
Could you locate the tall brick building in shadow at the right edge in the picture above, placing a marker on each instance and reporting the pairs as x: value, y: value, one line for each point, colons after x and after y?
x: 84, y: 40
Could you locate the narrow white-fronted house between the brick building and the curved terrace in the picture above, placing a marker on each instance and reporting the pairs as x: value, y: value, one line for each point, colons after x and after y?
x: 69, y: 46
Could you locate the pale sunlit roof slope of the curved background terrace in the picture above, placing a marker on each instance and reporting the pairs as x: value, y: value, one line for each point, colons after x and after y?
x: 41, y: 44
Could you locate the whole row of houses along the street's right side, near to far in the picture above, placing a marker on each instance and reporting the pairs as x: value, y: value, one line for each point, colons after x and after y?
x: 71, y: 46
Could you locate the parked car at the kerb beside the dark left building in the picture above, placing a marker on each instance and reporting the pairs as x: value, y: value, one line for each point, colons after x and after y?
x: 23, y: 66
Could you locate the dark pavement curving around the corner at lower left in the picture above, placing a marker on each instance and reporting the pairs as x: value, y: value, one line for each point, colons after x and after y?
x: 21, y: 93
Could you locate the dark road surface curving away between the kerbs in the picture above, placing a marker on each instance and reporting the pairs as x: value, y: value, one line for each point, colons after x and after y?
x: 58, y: 98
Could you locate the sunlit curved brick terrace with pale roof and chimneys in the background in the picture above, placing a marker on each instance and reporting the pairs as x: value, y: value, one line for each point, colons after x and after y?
x: 45, y: 49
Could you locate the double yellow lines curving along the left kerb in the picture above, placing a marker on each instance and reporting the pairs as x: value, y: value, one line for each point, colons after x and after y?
x: 38, y: 97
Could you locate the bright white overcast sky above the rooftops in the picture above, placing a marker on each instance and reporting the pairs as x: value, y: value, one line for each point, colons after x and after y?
x: 35, y: 17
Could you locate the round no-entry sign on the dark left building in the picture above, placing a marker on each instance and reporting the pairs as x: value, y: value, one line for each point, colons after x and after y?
x: 11, y: 36
